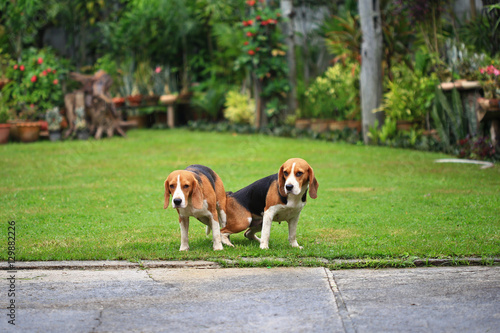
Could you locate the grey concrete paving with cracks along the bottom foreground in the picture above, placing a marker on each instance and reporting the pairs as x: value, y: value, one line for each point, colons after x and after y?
x: 447, y: 299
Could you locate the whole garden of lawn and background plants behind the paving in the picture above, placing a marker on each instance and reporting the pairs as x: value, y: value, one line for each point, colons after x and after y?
x: 113, y: 95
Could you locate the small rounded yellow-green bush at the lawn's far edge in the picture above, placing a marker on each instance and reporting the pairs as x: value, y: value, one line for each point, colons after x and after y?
x: 240, y: 108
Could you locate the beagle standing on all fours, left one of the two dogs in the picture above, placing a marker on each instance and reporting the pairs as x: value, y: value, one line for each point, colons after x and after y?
x: 197, y: 191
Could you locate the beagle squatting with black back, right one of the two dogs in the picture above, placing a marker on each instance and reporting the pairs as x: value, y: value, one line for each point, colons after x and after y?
x: 278, y: 197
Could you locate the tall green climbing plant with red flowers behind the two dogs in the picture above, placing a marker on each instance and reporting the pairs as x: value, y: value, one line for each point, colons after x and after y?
x: 263, y: 53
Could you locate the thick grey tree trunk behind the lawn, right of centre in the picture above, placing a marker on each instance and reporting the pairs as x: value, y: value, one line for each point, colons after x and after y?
x: 371, y: 64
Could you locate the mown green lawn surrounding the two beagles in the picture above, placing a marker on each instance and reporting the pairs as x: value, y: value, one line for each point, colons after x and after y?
x: 86, y: 200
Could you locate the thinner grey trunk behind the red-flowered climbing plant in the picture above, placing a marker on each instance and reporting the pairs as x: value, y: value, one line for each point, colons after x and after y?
x: 288, y: 31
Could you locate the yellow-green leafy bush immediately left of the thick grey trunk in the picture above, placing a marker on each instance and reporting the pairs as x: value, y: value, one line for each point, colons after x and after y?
x: 333, y: 95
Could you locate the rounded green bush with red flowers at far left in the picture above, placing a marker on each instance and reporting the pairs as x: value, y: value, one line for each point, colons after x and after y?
x: 35, y: 85
